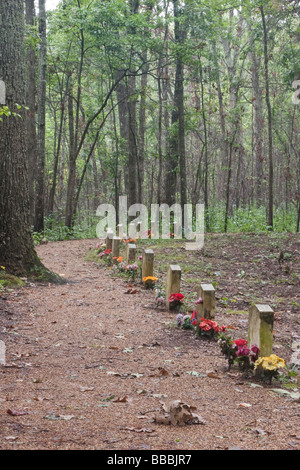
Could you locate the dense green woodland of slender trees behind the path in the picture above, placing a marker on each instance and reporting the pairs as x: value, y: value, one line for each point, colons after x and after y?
x: 163, y: 101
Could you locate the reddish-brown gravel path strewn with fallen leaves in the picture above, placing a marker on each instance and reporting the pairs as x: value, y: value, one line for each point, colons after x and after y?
x: 88, y: 365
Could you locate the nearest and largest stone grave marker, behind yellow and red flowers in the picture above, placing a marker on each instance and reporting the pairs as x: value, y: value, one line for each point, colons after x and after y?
x: 260, y: 330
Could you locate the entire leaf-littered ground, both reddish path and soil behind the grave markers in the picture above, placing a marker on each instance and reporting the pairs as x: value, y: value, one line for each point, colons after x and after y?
x: 89, y: 366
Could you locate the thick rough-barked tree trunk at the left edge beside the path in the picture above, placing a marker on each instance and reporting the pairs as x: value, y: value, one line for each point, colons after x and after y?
x: 17, y: 252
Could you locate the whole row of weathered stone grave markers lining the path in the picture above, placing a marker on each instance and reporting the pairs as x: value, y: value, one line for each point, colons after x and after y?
x: 261, y: 317
